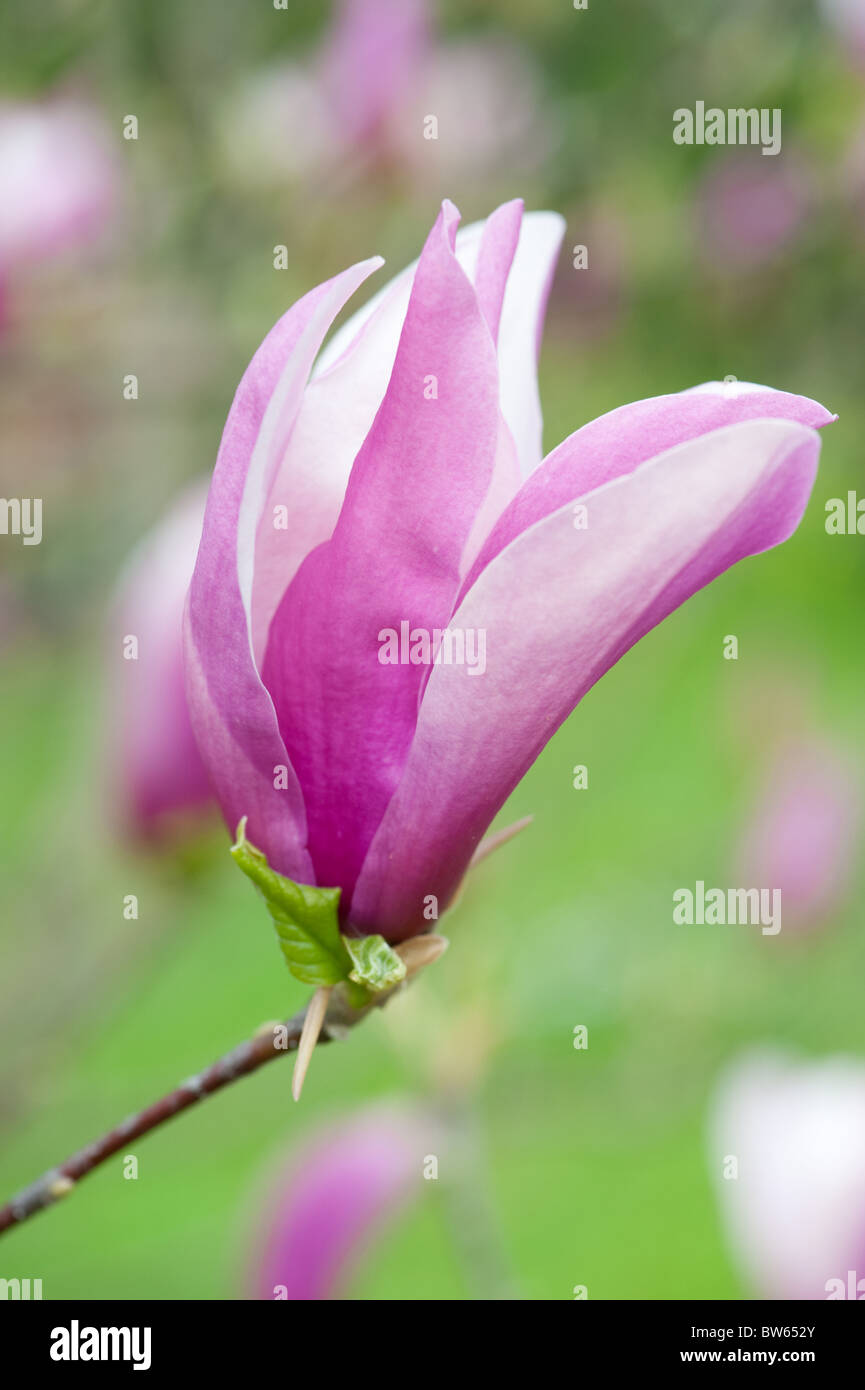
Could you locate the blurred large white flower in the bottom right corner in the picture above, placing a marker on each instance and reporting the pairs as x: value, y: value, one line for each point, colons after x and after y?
x: 788, y: 1147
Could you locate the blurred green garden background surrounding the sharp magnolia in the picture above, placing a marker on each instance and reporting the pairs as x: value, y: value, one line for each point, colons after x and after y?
x: 703, y: 263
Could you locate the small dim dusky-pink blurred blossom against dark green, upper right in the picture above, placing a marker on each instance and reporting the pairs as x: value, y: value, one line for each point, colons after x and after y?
x: 749, y: 215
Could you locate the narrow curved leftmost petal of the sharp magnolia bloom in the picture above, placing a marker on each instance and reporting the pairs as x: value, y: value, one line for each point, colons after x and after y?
x: 232, y: 711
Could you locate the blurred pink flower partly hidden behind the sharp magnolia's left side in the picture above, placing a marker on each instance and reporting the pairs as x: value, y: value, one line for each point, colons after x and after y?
x: 156, y: 767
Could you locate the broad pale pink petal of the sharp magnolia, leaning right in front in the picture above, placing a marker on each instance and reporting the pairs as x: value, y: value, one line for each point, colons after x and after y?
x: 560, y: 607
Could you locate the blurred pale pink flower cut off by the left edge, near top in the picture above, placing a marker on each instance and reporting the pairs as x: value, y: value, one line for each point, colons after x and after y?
x: 58, y: 181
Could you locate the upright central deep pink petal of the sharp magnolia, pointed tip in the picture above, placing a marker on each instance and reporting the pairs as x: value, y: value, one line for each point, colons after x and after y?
x: 396, y: 555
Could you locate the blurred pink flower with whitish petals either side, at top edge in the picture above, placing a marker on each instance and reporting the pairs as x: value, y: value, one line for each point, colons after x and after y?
x: 362, y: 99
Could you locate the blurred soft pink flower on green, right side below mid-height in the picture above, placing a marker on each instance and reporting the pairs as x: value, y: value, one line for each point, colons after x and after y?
x: 805, y: 831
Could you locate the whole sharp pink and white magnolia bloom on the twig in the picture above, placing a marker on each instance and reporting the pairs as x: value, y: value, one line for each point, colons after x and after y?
x: 398, y: 494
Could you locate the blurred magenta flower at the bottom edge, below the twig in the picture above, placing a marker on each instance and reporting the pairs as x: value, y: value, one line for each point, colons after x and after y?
x: 334, y: 1199
